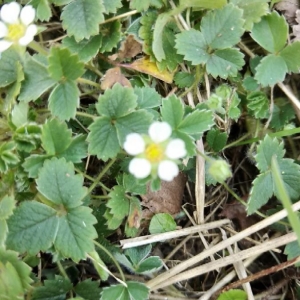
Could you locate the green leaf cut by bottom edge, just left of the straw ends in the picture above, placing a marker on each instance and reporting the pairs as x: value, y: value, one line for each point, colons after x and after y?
x: 133, y: 291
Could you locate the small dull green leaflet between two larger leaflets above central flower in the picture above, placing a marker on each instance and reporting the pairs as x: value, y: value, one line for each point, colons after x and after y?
x: 147, y: 97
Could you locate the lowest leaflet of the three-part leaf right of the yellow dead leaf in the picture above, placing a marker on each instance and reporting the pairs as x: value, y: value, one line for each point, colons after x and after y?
x: 225, y: 63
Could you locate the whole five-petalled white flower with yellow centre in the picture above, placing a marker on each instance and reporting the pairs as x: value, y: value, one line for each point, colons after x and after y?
x: 155, y: 154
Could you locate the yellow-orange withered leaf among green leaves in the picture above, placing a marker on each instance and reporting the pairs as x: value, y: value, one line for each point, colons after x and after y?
x: 144, y: 65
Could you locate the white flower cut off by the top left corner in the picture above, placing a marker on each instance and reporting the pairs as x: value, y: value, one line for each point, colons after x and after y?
x: 15, y: 25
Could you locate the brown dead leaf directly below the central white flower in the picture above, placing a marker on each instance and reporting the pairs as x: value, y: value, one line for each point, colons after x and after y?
x: 167, y: 200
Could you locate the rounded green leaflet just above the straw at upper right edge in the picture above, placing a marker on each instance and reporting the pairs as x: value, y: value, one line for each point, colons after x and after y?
x: 271, y: 70
